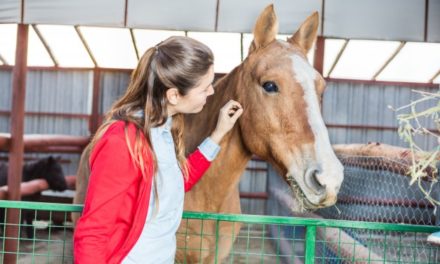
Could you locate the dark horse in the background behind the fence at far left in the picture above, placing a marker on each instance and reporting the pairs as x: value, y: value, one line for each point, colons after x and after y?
x: 46, y: 168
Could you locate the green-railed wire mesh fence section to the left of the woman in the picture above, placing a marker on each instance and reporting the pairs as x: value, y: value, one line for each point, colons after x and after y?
x: 43, y: 233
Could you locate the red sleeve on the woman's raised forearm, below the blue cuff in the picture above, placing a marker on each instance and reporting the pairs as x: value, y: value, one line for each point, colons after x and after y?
x: 197, y: 166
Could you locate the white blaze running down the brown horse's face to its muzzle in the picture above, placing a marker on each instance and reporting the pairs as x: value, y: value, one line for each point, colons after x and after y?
x: 331, y: 175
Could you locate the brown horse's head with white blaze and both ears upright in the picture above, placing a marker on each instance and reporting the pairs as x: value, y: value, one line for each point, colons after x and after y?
x: 281, y: 95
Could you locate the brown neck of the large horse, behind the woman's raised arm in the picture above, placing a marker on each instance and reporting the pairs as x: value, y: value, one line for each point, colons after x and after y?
x: 223, y: 176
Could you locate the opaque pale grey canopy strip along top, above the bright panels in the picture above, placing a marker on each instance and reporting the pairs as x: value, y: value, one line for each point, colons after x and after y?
x: 402, y: 20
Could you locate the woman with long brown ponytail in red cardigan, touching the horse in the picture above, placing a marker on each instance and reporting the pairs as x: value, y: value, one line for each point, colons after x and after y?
x: 139, y: 171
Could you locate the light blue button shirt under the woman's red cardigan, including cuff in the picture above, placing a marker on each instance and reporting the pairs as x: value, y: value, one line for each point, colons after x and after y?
x: 157, y: 242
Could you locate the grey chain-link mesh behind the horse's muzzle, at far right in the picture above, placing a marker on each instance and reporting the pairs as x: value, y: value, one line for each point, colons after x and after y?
x: 378, y: 189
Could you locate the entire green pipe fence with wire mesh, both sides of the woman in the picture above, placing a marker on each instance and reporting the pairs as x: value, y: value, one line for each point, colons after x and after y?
x: 51, y: 238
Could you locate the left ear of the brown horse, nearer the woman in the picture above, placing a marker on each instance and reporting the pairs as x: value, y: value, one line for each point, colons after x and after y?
x: 265, y: 29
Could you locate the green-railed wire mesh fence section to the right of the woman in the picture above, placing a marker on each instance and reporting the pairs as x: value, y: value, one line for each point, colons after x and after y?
x: 264, y: 239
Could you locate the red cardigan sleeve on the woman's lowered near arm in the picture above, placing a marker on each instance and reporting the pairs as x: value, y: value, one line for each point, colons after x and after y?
x: 112, y: 173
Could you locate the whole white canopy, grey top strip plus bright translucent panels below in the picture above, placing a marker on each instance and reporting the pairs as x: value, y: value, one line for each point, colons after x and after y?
x: 384, y: 40
